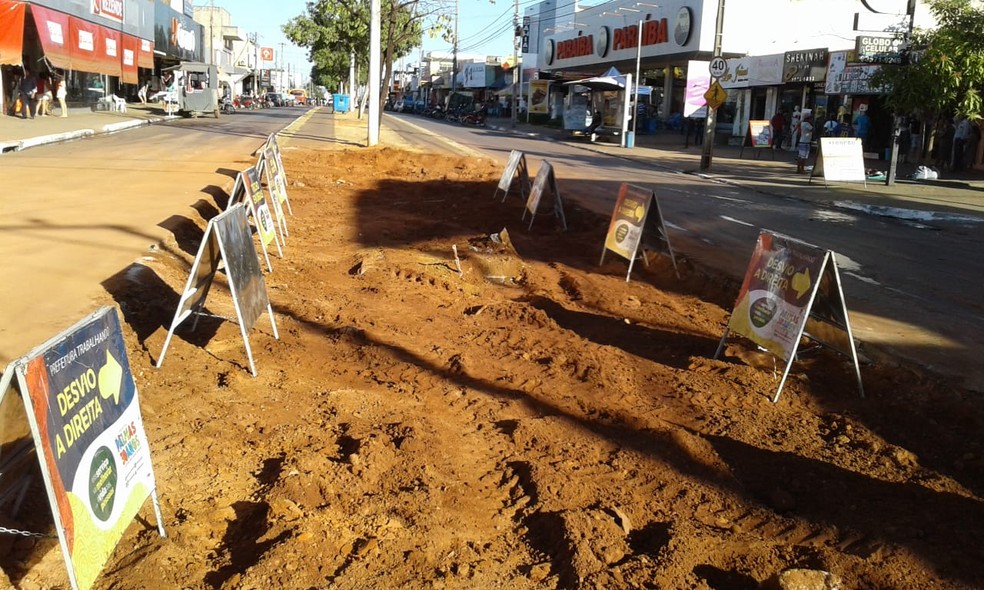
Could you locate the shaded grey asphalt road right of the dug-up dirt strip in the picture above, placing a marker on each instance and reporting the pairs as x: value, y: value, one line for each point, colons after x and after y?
x: 914, y: 289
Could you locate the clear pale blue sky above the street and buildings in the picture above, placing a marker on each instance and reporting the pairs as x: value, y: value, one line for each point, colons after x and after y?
x: 484, y: 27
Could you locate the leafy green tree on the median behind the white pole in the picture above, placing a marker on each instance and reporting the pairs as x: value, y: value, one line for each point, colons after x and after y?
x: 333, y: 30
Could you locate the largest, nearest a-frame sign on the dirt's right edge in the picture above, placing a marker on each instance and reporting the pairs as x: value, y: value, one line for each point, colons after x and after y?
x: 792, y: 290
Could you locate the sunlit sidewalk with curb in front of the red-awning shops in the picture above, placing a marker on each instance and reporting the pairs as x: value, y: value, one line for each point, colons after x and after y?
x: 20, y: 134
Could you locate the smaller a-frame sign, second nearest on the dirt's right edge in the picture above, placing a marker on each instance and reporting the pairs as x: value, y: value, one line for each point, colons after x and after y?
x: 637, y: 221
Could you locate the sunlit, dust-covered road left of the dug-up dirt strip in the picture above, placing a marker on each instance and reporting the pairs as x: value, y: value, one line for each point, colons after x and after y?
x: 76, y: 213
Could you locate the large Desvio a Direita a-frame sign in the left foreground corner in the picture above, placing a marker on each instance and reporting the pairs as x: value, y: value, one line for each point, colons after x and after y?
x: 82, y: 405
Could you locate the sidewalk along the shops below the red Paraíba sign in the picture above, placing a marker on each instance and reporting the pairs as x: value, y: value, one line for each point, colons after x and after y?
x: 954, y: 198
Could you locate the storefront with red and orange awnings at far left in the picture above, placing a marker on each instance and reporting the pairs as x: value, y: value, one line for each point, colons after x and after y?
x: 99, y: 46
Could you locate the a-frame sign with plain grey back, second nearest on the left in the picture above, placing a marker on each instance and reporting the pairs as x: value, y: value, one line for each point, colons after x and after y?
x: 227, y: 240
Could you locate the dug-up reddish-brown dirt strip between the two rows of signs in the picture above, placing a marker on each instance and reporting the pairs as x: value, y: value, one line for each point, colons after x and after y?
x: 527, y: 419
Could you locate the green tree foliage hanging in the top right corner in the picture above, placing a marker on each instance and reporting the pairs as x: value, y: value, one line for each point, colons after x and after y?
x: 946, y: 71
